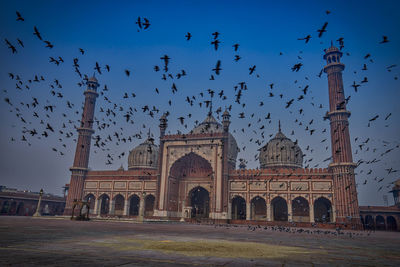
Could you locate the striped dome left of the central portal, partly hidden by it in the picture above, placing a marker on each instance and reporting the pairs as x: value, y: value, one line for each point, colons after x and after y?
x: 144, y: 156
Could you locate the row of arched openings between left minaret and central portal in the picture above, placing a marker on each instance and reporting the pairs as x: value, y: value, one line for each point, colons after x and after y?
x: 121, y: 206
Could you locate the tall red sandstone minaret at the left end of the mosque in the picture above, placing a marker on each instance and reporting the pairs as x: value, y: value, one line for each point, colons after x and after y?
x: 81, y: 160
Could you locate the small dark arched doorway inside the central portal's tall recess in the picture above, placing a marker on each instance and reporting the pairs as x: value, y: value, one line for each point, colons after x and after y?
x: 200, y: 202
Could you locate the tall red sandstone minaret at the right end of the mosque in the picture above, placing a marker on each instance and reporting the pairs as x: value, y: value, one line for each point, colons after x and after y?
x: 342, y: 166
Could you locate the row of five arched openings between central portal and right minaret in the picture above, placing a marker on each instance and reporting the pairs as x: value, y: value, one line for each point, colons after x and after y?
x: 279, y: 209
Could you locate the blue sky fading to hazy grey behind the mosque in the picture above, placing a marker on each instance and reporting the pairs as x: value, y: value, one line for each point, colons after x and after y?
x: 267, y: 32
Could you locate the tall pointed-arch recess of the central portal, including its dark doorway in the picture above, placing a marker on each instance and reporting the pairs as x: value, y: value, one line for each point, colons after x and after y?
x: 188, y: 179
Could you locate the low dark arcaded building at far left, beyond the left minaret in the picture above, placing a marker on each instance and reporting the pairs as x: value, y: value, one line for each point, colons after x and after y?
x: 24, y: 203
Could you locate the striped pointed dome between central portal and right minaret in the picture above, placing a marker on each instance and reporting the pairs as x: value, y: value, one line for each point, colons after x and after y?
x: 280, y: 151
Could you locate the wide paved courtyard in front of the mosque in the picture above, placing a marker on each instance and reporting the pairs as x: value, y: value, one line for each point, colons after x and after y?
x: 60, y: 242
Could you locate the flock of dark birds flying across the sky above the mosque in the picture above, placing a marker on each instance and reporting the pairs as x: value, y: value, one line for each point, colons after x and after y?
x: 110, y: 113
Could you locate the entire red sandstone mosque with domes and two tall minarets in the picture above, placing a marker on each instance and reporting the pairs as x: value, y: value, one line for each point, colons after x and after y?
x: 193, y: 176
